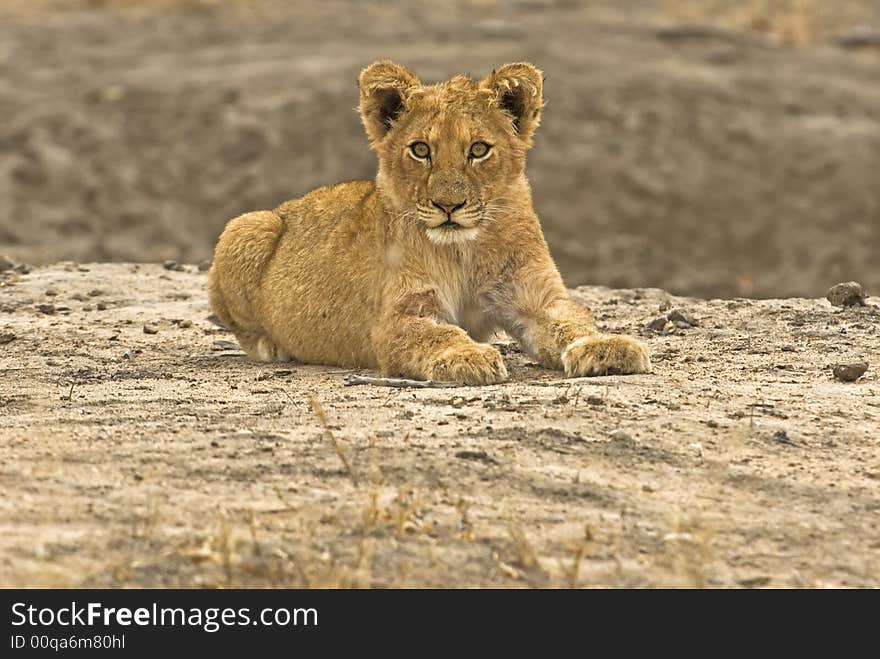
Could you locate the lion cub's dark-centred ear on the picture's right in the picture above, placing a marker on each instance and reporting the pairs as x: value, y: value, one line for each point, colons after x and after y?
x: 518, y: 90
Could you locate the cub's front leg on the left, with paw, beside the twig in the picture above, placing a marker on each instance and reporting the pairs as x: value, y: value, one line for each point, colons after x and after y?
x: 415, y: 338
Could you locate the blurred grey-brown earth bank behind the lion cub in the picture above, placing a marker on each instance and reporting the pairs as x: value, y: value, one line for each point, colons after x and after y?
x: 715, y: 148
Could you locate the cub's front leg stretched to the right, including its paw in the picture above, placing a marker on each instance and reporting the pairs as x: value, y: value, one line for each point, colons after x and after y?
x: 561, y: 334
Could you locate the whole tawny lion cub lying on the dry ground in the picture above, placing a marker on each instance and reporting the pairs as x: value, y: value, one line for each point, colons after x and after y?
x: 413, y: 272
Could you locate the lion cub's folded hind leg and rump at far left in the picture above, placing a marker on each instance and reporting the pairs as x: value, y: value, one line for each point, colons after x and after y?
x: 243, y: 251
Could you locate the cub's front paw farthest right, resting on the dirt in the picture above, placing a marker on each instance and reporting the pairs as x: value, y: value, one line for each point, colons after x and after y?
x: 604, y: 354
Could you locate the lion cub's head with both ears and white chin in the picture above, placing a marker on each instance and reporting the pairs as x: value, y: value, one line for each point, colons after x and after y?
x: 451, y: 155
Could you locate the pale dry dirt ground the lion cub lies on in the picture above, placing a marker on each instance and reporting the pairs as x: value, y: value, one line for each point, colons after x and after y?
x: 138, y: 447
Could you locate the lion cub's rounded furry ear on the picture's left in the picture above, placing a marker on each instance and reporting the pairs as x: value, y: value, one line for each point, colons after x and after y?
x: 384, y: 87
